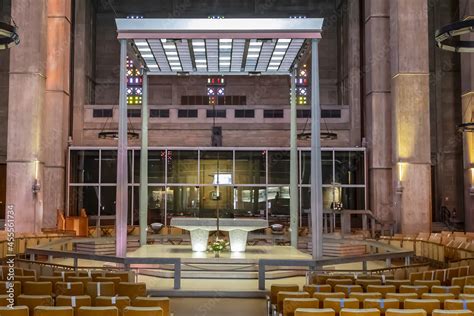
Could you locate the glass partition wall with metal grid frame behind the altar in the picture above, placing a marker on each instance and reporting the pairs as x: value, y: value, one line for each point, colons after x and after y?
x: 196, y: 182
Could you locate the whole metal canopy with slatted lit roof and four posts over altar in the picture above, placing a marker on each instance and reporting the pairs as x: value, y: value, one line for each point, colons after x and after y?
x: 223, y: 47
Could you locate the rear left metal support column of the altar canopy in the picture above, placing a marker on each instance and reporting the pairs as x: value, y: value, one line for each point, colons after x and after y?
x: 144, y: 164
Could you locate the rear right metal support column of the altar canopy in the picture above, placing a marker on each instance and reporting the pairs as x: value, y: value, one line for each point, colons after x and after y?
x: 293, y: 164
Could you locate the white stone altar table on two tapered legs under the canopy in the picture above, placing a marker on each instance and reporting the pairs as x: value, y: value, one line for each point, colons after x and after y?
x: 238, y: 229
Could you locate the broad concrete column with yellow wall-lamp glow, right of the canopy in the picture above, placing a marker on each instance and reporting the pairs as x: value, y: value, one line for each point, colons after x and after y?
x: 411, y: 114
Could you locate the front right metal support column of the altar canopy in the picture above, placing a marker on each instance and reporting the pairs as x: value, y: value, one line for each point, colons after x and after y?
x: 316, y: 173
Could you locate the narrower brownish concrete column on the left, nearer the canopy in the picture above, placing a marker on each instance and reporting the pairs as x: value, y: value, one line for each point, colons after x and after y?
x: 56, y: 108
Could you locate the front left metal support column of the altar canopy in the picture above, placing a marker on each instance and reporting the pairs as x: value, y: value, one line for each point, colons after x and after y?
x: 121, y: 211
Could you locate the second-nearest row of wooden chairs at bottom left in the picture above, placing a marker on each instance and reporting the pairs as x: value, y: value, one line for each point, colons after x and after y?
x: 77, y: 302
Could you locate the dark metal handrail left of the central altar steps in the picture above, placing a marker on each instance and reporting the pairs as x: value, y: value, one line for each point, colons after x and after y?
x: 127, y: 262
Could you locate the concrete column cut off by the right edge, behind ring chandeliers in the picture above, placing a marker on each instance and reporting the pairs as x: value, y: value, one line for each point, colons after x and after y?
x: 467, y: 94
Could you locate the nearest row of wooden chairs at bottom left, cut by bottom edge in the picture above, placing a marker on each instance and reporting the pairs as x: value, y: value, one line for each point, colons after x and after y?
x: 82, y: 311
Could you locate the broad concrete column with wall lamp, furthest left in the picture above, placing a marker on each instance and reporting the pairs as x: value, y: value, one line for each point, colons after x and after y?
x: 25, y: 110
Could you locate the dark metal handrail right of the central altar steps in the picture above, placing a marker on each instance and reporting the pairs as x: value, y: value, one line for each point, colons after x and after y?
x: 313, y: 264
